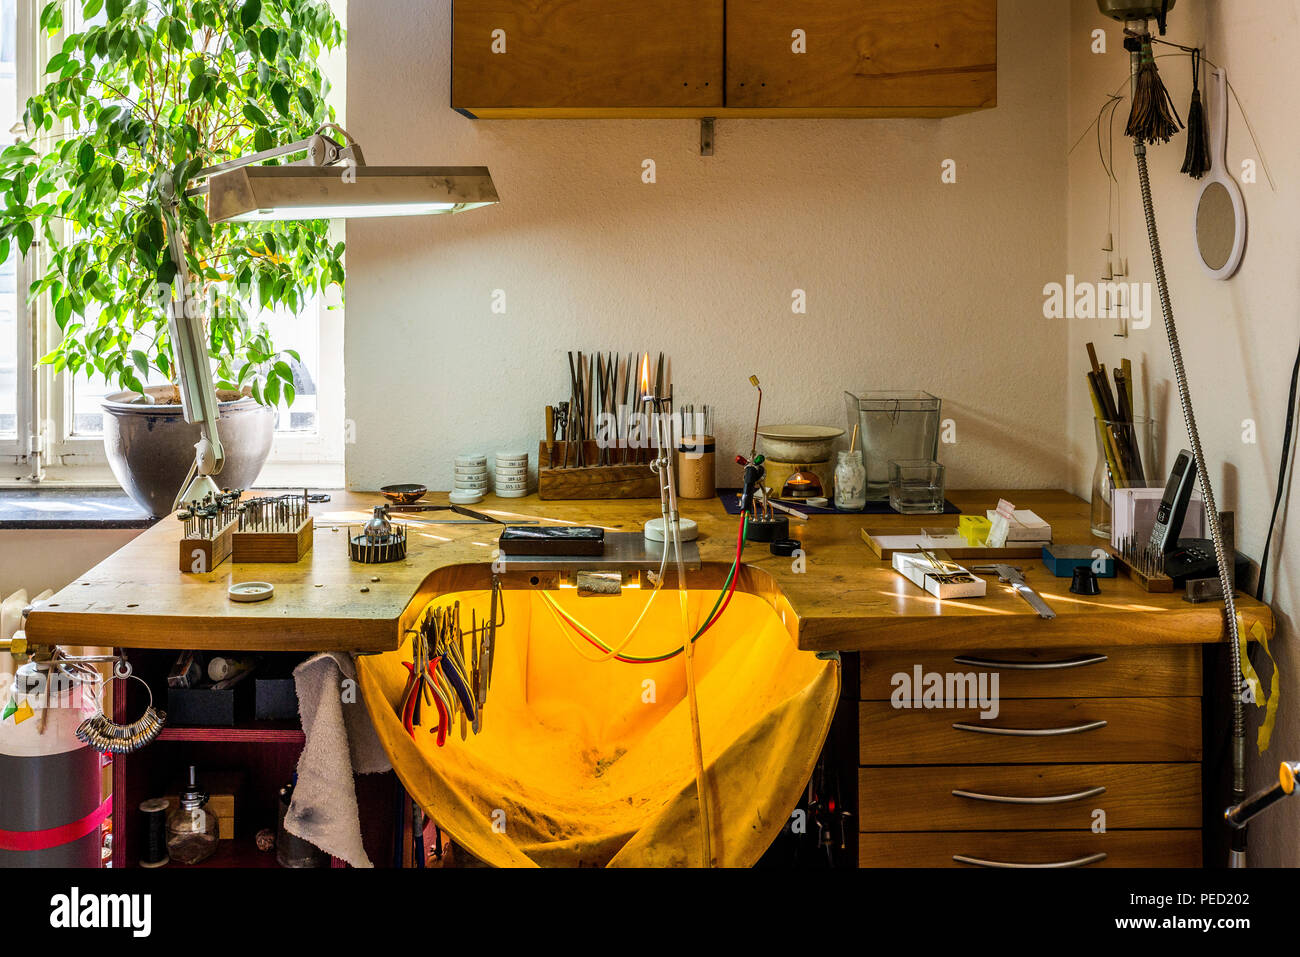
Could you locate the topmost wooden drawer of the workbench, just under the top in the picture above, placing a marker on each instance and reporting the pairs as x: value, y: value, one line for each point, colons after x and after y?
x: 1120, y: 673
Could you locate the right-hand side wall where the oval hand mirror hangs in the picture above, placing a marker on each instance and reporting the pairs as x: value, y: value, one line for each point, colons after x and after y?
x: 1240, y: 337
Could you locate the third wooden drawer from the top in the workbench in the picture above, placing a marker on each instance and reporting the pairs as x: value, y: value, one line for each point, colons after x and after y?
x: 1029, y: 798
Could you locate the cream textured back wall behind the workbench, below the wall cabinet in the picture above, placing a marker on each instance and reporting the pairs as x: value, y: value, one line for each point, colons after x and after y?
x: 912, y: 284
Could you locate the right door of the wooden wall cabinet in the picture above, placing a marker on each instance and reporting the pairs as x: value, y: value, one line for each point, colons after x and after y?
x: 886, y: 57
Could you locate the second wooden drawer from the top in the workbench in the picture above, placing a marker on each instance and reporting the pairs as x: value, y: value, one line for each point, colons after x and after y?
x: 1033, y: 731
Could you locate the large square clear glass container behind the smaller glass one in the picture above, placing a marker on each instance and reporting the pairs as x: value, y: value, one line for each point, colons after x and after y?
x: 894, y: 427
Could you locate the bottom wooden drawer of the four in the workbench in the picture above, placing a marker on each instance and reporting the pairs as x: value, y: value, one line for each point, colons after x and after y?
x: 1033, y: 850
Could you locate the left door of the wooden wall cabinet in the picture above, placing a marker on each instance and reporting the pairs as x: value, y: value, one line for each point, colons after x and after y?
x: 575, y: 58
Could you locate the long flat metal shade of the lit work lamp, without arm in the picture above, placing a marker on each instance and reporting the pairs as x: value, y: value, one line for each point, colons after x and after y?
x: 340, y: 193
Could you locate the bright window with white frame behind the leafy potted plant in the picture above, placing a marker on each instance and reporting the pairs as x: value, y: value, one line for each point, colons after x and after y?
x: 70, y: 425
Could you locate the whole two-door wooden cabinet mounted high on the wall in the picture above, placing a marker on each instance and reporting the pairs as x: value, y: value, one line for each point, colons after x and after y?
x: 723, y: 58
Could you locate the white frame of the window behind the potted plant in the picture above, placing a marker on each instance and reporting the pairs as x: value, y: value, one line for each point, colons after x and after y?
x: 46, y: 439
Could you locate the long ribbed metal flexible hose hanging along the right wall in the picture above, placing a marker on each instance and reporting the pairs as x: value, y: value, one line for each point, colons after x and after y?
x: 1185, y: 400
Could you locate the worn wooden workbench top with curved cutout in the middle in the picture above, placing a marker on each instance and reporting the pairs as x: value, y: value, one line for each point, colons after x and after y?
x: 846, y: 599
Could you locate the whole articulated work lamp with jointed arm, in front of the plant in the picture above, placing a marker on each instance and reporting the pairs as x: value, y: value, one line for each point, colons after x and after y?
x: 332, y: 181
